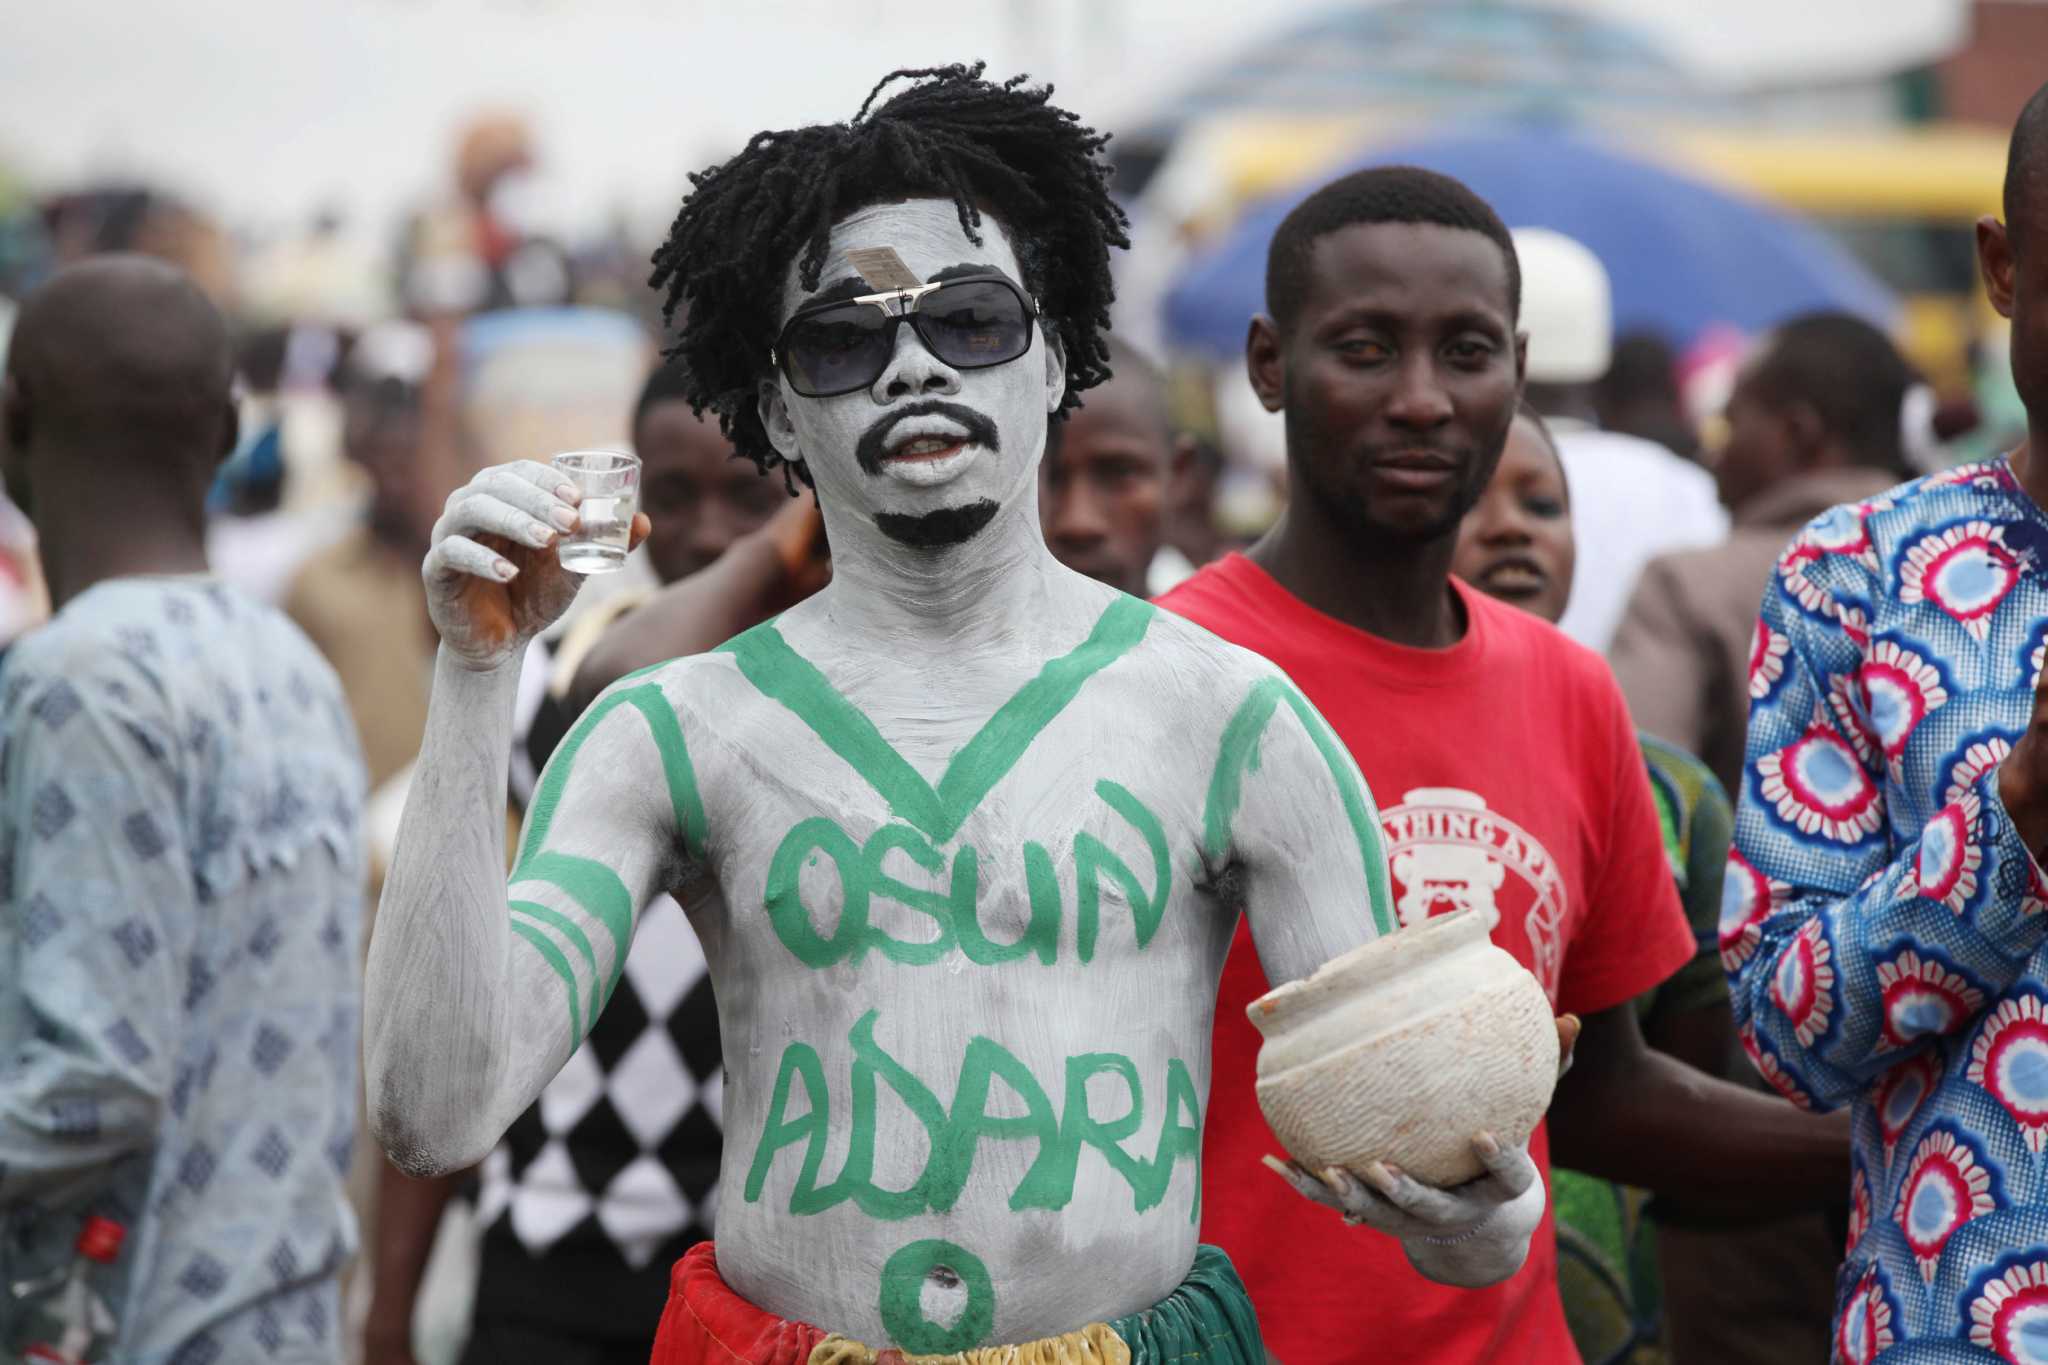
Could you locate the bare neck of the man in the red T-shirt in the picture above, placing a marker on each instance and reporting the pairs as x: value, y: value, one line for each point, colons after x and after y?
x: 1402, y: 597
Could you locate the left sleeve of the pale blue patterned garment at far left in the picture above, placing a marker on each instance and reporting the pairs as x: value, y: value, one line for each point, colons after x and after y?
x: 99, y: 928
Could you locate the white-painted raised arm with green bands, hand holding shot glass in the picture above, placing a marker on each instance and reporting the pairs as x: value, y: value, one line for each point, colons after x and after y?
x: 476, y: 998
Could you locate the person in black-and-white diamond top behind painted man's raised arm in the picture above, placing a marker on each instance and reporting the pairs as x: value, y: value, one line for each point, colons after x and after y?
x: 609, y: 1178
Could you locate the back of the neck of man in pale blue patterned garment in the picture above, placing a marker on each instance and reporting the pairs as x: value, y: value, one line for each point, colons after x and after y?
x: 87, y: 539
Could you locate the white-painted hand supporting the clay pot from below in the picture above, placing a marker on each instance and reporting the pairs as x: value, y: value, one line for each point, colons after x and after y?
x: 1474, y: 1235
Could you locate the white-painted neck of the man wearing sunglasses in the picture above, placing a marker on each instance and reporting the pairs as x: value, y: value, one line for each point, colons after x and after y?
x: 962, y: 597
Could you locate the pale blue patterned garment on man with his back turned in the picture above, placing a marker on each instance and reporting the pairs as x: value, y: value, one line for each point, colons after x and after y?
x: 181, y: 889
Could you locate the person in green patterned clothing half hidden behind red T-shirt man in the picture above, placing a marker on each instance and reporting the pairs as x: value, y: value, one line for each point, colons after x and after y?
x: 1725, y: 1292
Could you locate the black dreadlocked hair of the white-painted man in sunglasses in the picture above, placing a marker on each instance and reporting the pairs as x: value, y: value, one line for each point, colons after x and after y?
x: 998, y: 148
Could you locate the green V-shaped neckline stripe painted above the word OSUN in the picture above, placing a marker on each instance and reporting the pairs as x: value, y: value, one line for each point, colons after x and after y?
x: 779, y: 672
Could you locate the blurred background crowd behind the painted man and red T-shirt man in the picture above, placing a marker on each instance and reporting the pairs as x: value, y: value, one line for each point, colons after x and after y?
x: 1644, y: 502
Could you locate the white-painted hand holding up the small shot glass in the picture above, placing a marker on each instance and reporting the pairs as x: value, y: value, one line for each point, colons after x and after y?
x: 493, y: 576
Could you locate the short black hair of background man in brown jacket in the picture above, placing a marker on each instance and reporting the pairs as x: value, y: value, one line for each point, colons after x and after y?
x: 1848, y: 373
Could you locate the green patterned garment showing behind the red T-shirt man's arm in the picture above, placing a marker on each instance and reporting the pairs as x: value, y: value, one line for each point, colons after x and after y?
x: 1607, y: 1247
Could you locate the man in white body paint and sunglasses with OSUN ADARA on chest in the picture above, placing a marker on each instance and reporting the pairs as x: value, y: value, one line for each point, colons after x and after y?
x: 966, y: 834
